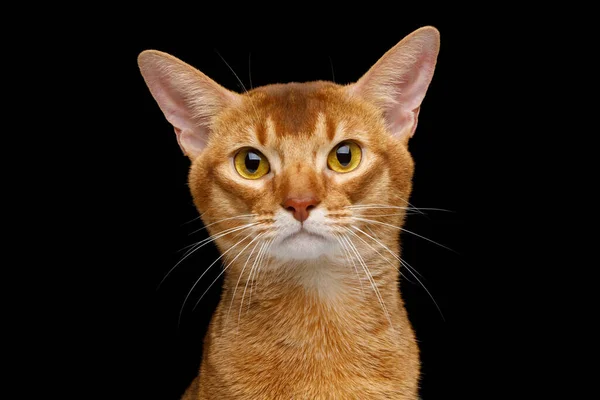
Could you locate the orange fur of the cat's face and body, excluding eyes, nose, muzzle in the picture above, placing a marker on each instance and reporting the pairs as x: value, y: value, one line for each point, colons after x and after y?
x: 311, y: 329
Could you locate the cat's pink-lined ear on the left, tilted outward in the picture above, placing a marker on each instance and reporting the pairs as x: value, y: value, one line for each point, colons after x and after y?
x: 188, y: 98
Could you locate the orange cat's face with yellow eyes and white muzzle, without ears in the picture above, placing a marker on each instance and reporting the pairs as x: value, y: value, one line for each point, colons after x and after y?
x: 292, y: 160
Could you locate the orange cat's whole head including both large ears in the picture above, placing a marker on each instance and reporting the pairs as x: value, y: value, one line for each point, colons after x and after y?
x: 299, y: 169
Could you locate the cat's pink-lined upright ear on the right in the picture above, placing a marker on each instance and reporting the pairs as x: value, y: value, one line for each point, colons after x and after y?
x: 397, y: 83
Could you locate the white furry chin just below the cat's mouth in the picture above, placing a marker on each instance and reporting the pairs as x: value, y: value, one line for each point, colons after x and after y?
x: 302, y: 246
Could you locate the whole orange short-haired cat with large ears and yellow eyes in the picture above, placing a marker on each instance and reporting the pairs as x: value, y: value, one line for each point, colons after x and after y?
x: 304, y: 186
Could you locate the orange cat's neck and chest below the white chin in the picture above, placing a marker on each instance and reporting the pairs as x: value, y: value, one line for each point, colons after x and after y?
x: 321, y: 340
